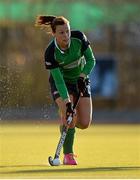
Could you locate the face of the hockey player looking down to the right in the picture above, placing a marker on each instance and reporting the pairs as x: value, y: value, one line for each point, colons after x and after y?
x: 62, y: 35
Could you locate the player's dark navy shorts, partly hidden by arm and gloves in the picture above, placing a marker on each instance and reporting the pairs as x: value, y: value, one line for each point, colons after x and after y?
x: 72, y: 89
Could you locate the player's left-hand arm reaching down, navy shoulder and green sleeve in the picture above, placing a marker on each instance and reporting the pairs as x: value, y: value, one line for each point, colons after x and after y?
x: 53, y: 66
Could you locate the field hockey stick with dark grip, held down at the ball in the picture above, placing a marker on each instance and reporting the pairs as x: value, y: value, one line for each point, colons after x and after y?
x: 55, y: 161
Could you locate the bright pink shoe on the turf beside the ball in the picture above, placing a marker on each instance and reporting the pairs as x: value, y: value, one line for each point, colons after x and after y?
x: 69, y: 159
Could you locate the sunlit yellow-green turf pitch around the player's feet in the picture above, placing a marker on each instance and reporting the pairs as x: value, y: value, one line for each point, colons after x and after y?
x: 103, y: 151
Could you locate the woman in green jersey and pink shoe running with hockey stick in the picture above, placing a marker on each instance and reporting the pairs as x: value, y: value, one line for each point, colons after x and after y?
x: 70, y: 60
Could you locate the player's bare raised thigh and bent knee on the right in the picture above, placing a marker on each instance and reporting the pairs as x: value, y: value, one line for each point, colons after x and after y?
x: 84, y: 112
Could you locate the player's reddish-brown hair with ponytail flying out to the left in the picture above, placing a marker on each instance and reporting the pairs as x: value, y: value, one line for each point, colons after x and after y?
x: 50, y: 22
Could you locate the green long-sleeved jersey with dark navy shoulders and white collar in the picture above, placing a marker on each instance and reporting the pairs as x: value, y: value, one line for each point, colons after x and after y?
x: 66, y: 66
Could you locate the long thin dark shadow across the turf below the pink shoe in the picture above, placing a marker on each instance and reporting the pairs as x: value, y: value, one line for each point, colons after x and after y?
x: 55, y: 169
